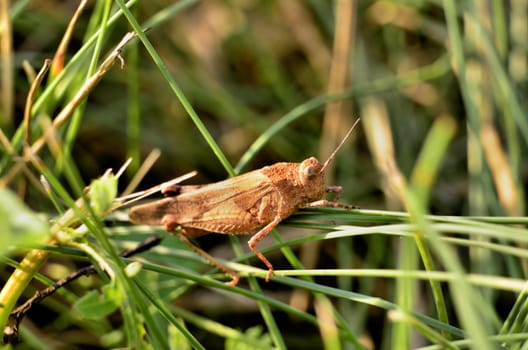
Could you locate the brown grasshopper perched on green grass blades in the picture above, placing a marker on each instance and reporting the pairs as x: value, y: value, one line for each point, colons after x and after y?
x: 257, y: 200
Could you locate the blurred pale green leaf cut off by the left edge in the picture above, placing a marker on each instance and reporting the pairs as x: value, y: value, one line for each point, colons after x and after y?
x: 19, y: 225
